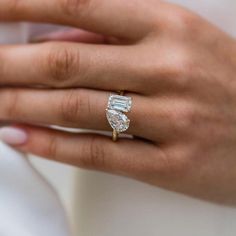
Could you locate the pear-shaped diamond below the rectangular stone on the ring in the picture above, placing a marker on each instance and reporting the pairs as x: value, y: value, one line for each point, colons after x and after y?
x: 118, y: 120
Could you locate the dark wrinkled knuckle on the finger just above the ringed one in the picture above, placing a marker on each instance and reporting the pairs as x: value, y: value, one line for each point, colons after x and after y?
x: 61, y: 64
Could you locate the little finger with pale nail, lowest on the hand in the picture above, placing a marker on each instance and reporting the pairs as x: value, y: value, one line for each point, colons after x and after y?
x: 85, y: 150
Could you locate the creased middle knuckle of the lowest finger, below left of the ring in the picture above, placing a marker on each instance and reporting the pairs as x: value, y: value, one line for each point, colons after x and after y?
x: 94, y: 154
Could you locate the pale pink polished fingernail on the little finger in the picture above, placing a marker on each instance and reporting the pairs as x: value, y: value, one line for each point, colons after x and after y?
x: 13, y: 136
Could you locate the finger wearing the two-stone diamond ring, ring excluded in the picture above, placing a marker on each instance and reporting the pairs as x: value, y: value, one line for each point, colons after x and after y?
x: 80, y: 108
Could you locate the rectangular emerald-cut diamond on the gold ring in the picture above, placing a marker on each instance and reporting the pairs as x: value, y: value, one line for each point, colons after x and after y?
x: 120, y: 103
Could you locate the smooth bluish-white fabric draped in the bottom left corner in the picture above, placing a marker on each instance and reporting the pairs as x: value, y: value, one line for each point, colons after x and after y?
x: 28, y: 204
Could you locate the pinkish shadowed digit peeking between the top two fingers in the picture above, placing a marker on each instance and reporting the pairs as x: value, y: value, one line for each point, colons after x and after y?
x: 75, y: 35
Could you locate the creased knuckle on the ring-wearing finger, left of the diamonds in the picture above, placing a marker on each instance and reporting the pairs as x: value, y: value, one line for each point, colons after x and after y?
x: 75, y: 106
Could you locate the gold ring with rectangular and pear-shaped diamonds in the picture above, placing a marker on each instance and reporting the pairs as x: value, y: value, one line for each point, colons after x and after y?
x: 117, y: 106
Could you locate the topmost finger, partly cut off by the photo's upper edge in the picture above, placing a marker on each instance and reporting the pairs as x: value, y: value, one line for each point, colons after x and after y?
x: 117, y: 18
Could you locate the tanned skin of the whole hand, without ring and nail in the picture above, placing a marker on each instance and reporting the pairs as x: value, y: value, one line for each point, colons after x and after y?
x: 178, y: 68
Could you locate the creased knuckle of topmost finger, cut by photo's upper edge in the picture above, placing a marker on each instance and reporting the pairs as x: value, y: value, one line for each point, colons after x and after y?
x: 73, y: 7
